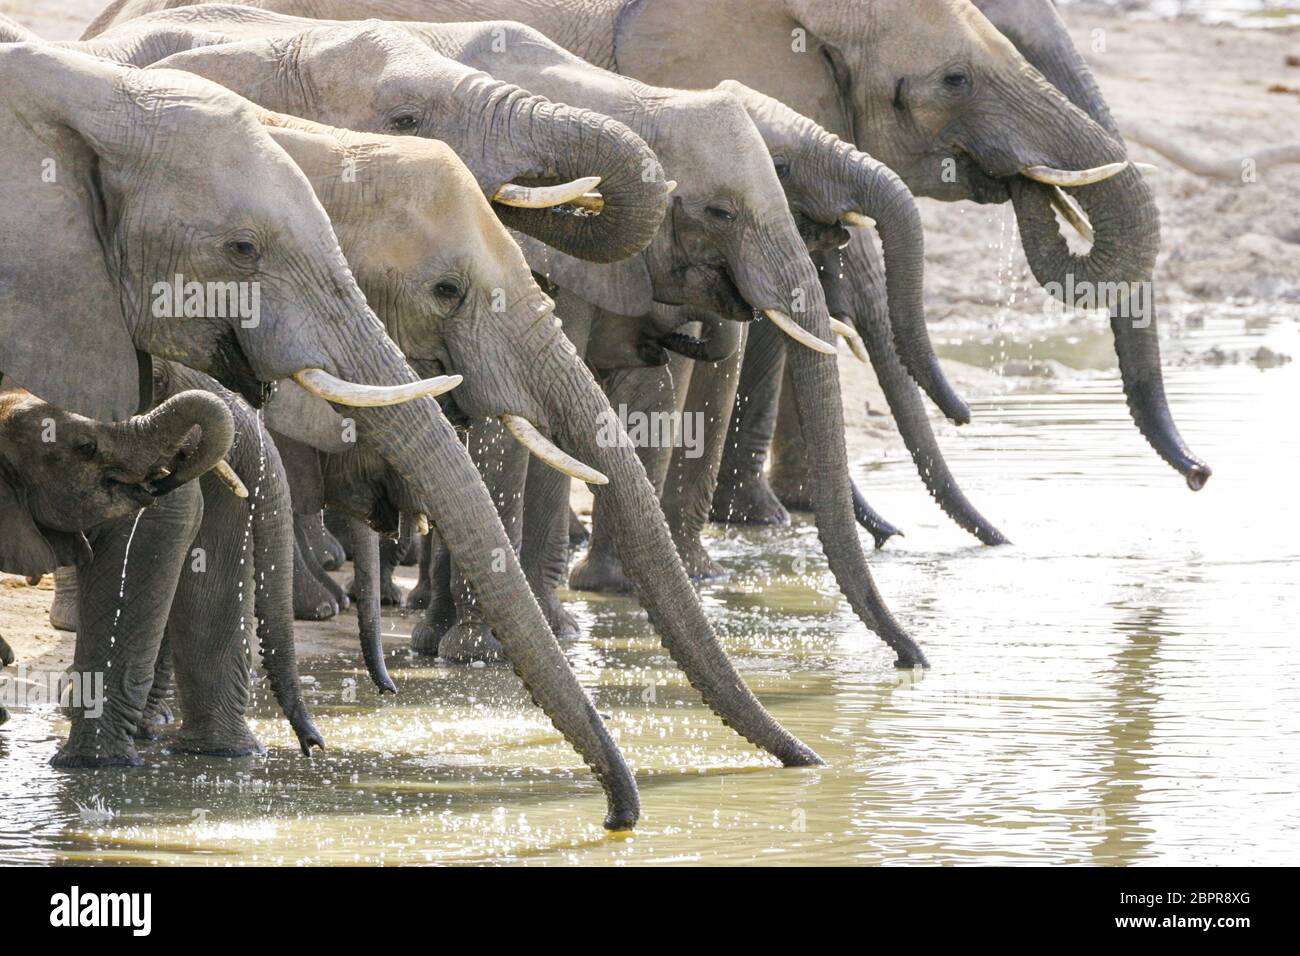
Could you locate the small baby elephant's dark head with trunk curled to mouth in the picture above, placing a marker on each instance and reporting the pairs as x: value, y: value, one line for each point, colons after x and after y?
x: 63, y: 474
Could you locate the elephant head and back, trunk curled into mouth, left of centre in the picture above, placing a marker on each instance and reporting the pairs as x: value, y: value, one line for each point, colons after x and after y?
x: 528, y: 154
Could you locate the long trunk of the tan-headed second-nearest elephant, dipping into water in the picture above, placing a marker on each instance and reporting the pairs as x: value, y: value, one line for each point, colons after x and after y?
x: 586, y: 425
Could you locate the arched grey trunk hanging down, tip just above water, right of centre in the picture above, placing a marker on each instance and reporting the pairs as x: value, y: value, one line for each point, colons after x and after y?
x: 882, y: 196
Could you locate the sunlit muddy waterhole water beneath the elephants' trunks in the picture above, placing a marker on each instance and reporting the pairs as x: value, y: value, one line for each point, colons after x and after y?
x: 1120, y: 686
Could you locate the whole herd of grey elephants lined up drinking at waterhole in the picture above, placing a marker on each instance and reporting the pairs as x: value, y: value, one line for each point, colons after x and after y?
x: 418, y: 265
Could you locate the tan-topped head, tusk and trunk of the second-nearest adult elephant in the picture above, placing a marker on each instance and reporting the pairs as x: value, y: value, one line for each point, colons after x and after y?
x: 458, y: 296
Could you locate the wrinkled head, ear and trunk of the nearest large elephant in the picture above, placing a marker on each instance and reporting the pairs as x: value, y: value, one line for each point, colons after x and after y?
x: 136, y: 207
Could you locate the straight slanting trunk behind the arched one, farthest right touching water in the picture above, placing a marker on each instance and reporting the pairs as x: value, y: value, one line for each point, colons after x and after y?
x: 856, y: 299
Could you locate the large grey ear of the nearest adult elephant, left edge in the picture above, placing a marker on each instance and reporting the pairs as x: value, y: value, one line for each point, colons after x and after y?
x: 63, y: 331
